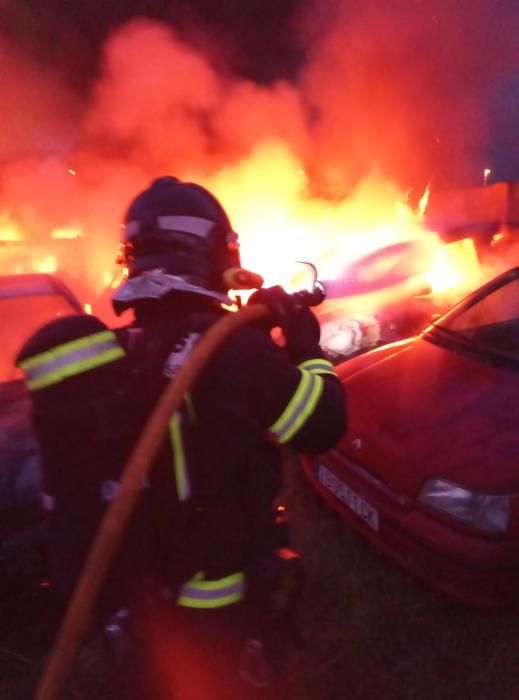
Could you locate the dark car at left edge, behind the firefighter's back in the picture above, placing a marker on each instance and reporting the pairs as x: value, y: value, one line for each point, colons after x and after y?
x: 27, y: 302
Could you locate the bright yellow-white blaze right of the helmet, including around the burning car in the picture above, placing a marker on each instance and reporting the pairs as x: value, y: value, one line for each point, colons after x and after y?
x: 280, y: 222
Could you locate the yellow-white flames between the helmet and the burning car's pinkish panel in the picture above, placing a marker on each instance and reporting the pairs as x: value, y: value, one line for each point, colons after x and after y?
x: 279, y: 221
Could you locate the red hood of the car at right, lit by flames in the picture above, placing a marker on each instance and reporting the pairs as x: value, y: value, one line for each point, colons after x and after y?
x: 420, y: 410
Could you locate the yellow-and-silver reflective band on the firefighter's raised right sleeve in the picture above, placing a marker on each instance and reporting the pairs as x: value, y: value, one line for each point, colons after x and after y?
x: 299, y: 408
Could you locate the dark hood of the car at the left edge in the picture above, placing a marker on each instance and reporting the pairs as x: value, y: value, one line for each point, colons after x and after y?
x: 19, y: 458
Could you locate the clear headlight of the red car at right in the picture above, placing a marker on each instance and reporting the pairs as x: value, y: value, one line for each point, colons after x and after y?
x: 484, y: 512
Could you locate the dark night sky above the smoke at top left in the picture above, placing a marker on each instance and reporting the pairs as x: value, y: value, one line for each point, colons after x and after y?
x: 256, y: 36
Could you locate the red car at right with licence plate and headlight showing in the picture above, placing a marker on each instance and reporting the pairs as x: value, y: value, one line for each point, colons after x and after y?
x: 429, y: 469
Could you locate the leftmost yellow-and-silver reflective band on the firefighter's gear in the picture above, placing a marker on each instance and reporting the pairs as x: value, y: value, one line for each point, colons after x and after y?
x: 70, y: 359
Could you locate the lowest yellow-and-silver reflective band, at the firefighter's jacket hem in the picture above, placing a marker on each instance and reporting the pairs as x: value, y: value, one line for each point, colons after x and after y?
x: 201, y: 593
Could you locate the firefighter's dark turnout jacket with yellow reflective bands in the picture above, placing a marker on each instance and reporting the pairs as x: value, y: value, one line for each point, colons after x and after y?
x: 206, y: 509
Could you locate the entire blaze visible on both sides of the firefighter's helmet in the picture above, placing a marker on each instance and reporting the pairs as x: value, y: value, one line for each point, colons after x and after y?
x: 279, y: 222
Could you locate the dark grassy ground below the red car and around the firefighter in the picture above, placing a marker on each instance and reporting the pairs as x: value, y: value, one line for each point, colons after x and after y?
x: 368, y: 629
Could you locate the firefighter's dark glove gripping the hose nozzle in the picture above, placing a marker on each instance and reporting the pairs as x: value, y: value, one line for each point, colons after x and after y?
x: 299, y: 325
